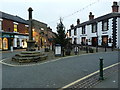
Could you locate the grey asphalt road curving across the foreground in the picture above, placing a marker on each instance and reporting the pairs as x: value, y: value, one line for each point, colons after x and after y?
x: 55, y: 74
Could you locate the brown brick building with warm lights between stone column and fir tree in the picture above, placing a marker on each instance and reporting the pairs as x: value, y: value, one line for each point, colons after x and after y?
x: 42, y: 34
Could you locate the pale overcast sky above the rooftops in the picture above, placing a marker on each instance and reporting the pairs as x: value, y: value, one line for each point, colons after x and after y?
x: 50, y: 11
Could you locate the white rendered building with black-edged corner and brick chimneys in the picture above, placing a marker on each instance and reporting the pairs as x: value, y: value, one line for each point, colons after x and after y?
x: 103, y: 30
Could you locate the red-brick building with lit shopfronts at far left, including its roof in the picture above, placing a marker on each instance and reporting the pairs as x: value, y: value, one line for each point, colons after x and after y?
x: 14, y: 31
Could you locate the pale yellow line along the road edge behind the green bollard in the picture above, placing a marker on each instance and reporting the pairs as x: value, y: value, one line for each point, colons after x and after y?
x: 87, y: 76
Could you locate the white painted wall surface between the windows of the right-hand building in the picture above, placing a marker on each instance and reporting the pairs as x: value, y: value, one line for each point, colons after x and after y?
x: 101, y: 33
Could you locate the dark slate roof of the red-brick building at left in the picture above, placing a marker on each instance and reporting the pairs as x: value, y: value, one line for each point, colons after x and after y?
x: 13, y: 18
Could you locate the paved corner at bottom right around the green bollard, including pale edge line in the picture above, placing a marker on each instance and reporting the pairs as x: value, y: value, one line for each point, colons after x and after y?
x: 92, y: 82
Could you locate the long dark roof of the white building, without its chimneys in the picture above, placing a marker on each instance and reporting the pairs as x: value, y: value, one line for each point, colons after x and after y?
x: 98, y: 19
